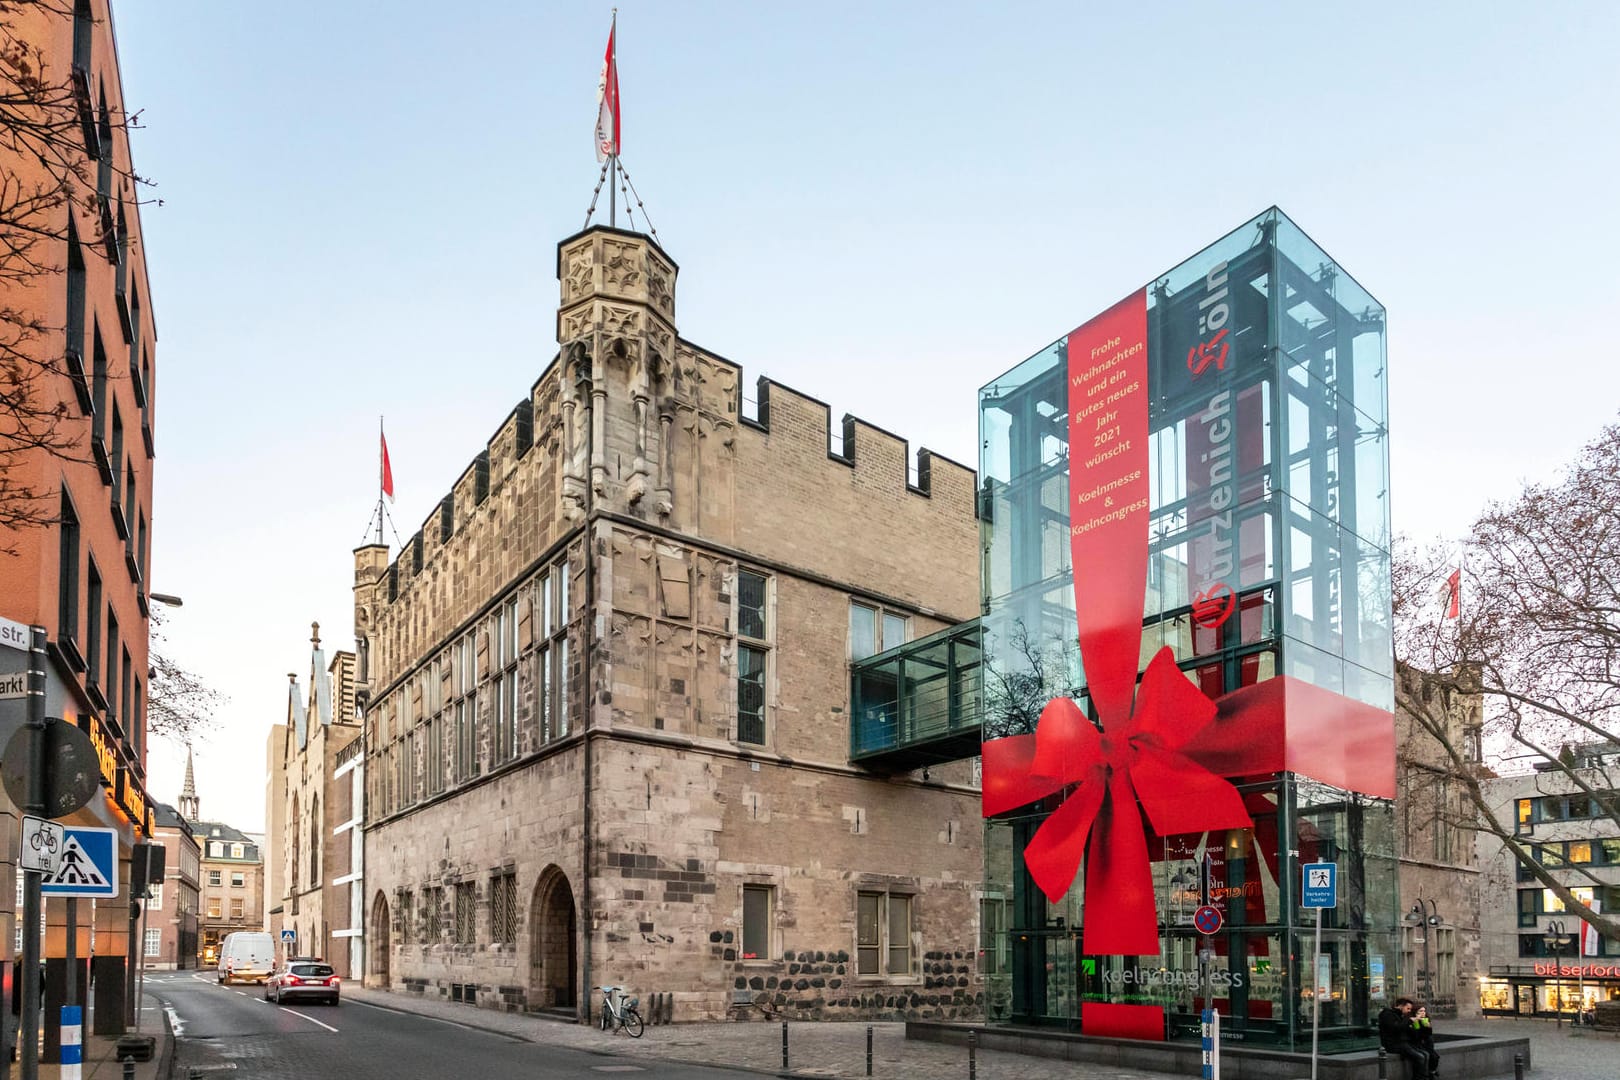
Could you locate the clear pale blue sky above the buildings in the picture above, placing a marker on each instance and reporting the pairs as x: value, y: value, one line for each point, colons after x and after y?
x: 882, y: 205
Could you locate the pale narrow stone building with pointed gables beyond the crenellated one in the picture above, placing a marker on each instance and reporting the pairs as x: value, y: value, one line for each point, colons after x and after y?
x: 313, y: 851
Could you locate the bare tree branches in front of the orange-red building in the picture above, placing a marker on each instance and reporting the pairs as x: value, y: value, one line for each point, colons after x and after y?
x: 58, y: 166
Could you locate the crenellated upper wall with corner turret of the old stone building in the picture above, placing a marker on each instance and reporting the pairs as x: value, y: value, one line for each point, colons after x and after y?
x: 636, y: 422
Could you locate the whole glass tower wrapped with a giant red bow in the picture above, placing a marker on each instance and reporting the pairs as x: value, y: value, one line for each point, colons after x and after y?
x: 1217, y: 446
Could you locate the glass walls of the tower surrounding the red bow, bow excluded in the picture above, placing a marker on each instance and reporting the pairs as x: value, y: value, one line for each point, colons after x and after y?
x: 1268, y: 556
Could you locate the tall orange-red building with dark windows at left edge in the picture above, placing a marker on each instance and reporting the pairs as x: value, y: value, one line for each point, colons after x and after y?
x: 79, y: 341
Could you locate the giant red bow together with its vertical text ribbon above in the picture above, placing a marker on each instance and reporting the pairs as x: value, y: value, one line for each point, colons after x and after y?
x: 1140, y: 752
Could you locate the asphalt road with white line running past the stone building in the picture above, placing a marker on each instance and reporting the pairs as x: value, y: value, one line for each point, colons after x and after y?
x: 232, y: 1034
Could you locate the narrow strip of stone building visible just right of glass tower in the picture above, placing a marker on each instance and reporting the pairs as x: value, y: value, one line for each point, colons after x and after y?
x: 1439, y: 875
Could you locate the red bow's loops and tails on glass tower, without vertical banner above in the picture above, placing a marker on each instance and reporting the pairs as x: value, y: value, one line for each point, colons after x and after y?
x: 1133, y: 759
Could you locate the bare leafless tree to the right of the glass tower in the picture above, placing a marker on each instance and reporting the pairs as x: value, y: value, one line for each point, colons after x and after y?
x: 1537, y: 642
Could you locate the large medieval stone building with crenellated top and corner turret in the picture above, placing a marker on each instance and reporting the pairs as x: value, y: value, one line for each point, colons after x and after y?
x: 607, y: 694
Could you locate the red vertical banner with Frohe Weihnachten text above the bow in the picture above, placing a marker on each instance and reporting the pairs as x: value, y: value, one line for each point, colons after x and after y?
x: 1109, y: 496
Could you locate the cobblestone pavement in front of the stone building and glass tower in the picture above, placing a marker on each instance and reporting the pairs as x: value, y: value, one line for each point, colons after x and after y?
x: 840, y: 1050
